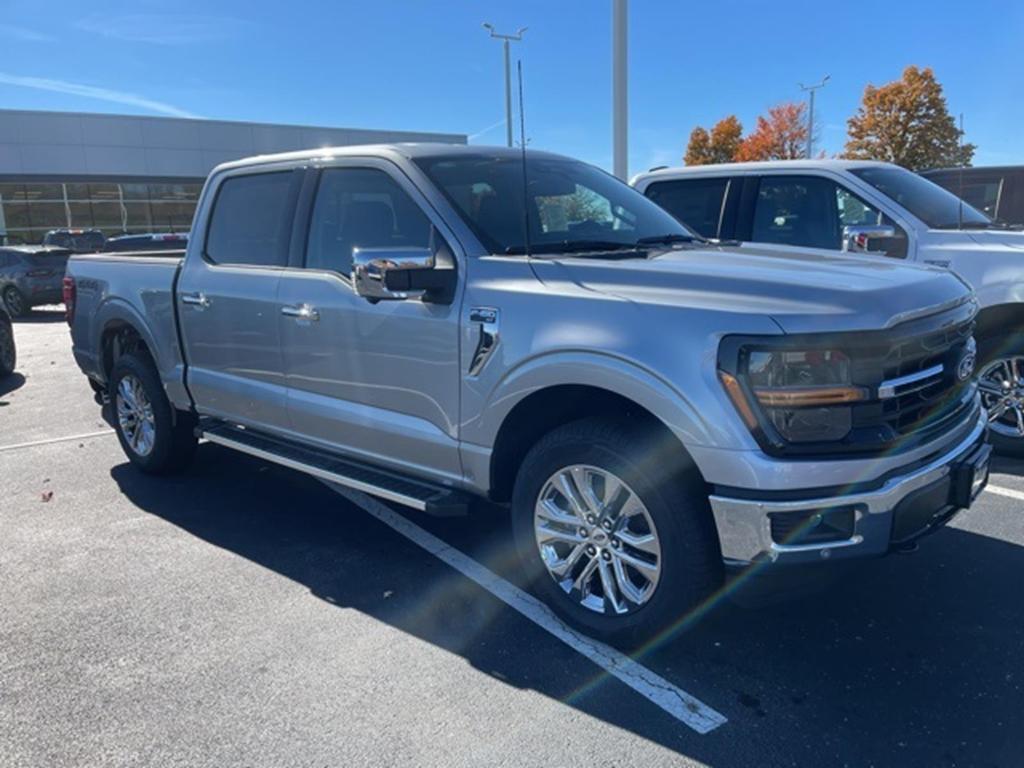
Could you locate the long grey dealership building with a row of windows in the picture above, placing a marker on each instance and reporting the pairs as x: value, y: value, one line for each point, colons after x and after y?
x: 124, y: 174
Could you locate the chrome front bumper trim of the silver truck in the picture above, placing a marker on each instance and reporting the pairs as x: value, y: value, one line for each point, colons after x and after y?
x: 744, y: 527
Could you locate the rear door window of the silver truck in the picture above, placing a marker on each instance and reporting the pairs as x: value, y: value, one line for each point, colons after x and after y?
x: 251, y: 221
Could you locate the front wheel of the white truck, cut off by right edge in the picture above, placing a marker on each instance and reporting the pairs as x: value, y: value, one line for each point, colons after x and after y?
x: 1001, y: 380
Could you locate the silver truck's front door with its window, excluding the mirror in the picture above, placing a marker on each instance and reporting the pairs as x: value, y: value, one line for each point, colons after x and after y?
x: 379, y: 381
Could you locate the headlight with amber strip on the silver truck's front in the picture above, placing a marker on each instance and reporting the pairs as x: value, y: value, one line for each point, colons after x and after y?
x: 803, y: 396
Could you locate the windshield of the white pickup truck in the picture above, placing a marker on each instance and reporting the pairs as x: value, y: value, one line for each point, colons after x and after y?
x: 938, y: 208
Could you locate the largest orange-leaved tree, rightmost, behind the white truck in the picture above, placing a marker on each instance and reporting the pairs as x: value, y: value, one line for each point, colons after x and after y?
x: 908, y: 122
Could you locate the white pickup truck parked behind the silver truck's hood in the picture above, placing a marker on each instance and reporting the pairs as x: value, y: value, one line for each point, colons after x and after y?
x: 824, y: 206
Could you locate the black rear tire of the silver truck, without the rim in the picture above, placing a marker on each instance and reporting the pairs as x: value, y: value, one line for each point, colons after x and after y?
x: 174, y: 443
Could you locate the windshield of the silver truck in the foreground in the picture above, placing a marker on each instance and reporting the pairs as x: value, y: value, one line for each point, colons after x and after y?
x: 573, y: 206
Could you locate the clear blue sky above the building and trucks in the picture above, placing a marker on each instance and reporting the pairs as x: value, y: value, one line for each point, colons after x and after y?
x: 430, y: 66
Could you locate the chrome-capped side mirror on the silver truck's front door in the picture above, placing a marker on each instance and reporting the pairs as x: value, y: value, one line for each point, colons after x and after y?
x: 396, y: 274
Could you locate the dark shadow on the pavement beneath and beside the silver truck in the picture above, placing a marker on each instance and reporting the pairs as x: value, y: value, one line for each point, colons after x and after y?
x: 917, y: 658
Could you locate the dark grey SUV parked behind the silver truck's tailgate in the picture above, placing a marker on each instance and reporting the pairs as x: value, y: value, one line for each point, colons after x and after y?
x: 30, y: 276
